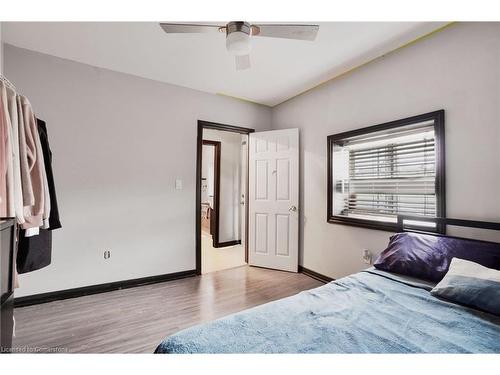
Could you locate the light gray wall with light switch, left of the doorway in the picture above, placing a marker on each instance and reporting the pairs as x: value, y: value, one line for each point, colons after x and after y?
x: 119, y: 142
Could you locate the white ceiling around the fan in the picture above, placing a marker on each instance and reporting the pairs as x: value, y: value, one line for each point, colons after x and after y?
x: 280, y: 69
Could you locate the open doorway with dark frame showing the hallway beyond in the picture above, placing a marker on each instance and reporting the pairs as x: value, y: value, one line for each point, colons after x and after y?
x: 222, y: 191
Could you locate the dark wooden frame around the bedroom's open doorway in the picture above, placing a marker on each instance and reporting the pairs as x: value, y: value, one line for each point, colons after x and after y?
x: 199, y: 150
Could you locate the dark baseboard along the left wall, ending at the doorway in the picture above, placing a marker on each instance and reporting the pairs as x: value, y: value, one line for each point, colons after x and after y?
x: 100, y: 288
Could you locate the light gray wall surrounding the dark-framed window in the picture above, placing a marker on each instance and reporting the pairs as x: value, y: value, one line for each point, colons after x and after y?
x: 456, y: 69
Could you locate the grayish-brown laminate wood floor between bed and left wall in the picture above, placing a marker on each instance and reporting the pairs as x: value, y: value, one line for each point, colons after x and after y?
x: 136, y: 320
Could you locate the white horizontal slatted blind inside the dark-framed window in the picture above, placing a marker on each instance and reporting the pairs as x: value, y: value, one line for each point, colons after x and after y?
x: 396, y: 176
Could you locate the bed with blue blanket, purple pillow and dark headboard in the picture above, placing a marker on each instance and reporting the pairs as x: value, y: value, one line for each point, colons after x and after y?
x: 428, y: 293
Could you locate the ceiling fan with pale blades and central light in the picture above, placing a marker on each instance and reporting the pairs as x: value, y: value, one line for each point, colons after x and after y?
x: 238, y: 34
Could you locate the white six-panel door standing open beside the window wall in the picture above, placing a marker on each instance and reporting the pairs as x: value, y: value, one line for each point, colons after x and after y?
x: 273, y: 240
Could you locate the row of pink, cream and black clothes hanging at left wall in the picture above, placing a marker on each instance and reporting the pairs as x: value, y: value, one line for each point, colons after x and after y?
x: 27, y: 189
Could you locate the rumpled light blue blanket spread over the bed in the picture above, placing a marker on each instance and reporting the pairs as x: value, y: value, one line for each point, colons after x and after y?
x: 369, y: 312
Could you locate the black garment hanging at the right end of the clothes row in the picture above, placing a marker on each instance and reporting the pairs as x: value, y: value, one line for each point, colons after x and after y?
x: 35, y: 252
